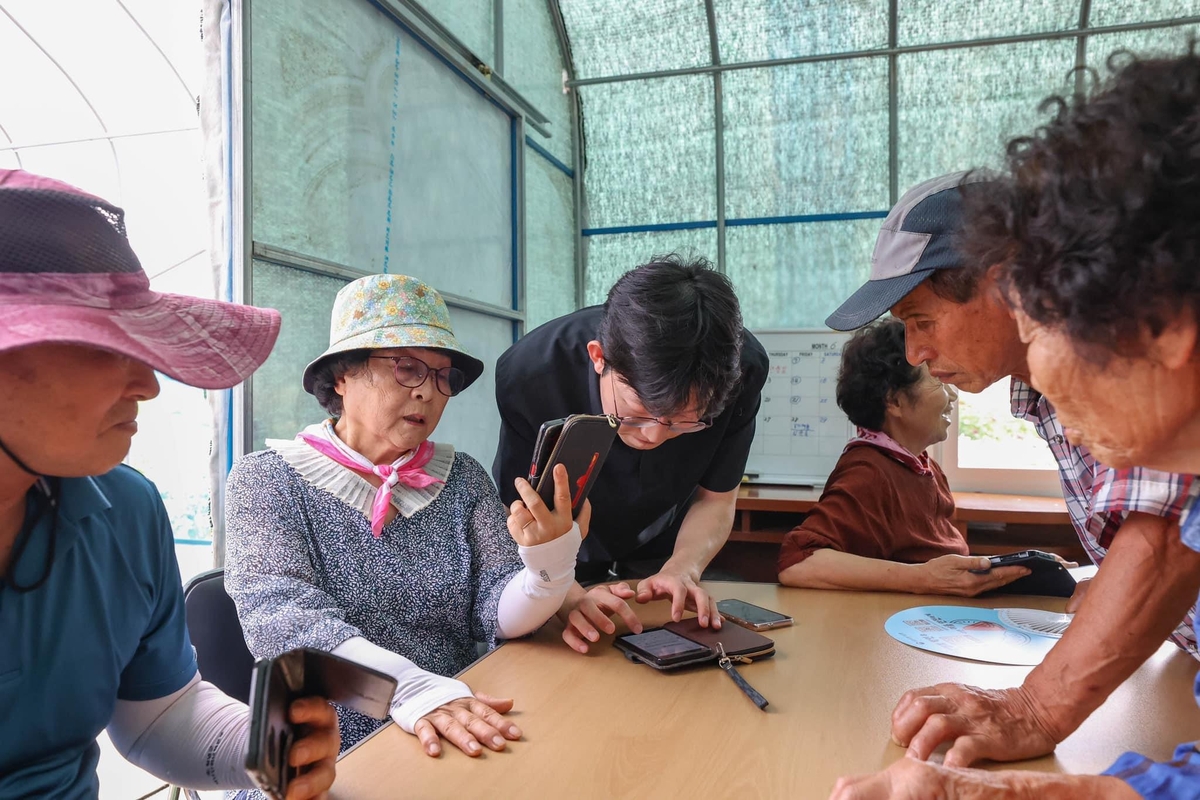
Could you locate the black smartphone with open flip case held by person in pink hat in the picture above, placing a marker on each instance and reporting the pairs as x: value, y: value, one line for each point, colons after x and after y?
x: 275, y: 683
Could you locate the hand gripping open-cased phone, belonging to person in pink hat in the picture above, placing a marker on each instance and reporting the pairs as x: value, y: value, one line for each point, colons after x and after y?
x: 290, y: 700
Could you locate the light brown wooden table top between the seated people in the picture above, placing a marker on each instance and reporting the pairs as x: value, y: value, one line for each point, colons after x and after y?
x: 598, y: 726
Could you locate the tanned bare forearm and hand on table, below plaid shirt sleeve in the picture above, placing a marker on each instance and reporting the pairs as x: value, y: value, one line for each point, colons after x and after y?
x: 1143, y: 590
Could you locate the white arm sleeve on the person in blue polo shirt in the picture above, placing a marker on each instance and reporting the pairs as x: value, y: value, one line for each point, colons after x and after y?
x: 195, y: 738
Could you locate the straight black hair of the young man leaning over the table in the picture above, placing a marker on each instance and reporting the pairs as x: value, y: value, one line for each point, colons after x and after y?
x: 674, y: 332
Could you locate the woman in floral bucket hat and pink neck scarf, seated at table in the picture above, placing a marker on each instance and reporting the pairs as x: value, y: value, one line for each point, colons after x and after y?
x: 364, y: 538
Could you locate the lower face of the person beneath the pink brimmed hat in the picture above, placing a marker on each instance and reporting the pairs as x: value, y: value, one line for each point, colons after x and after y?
x: 71, y: 411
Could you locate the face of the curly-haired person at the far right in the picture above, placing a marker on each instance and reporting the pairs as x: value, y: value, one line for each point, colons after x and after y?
x: 1126, y: 412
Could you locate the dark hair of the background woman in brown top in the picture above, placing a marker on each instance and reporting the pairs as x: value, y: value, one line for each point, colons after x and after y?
x: 873, y: 370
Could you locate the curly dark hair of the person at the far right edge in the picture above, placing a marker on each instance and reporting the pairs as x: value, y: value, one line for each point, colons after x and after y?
x: 1097, y: 220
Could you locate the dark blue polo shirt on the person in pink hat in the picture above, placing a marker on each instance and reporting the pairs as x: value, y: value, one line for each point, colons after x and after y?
x: 107, y: 624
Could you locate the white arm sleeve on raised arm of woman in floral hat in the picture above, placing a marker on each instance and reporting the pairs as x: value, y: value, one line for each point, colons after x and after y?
x: 537, y: 592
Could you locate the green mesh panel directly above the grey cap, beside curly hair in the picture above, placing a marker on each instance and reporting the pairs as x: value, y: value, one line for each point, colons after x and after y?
x: 1003, y: 87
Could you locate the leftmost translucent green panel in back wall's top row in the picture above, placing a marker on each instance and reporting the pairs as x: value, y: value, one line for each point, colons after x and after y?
x: 617, y: 38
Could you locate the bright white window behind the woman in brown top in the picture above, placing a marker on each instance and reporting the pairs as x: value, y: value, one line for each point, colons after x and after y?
x: 992, y: 438
